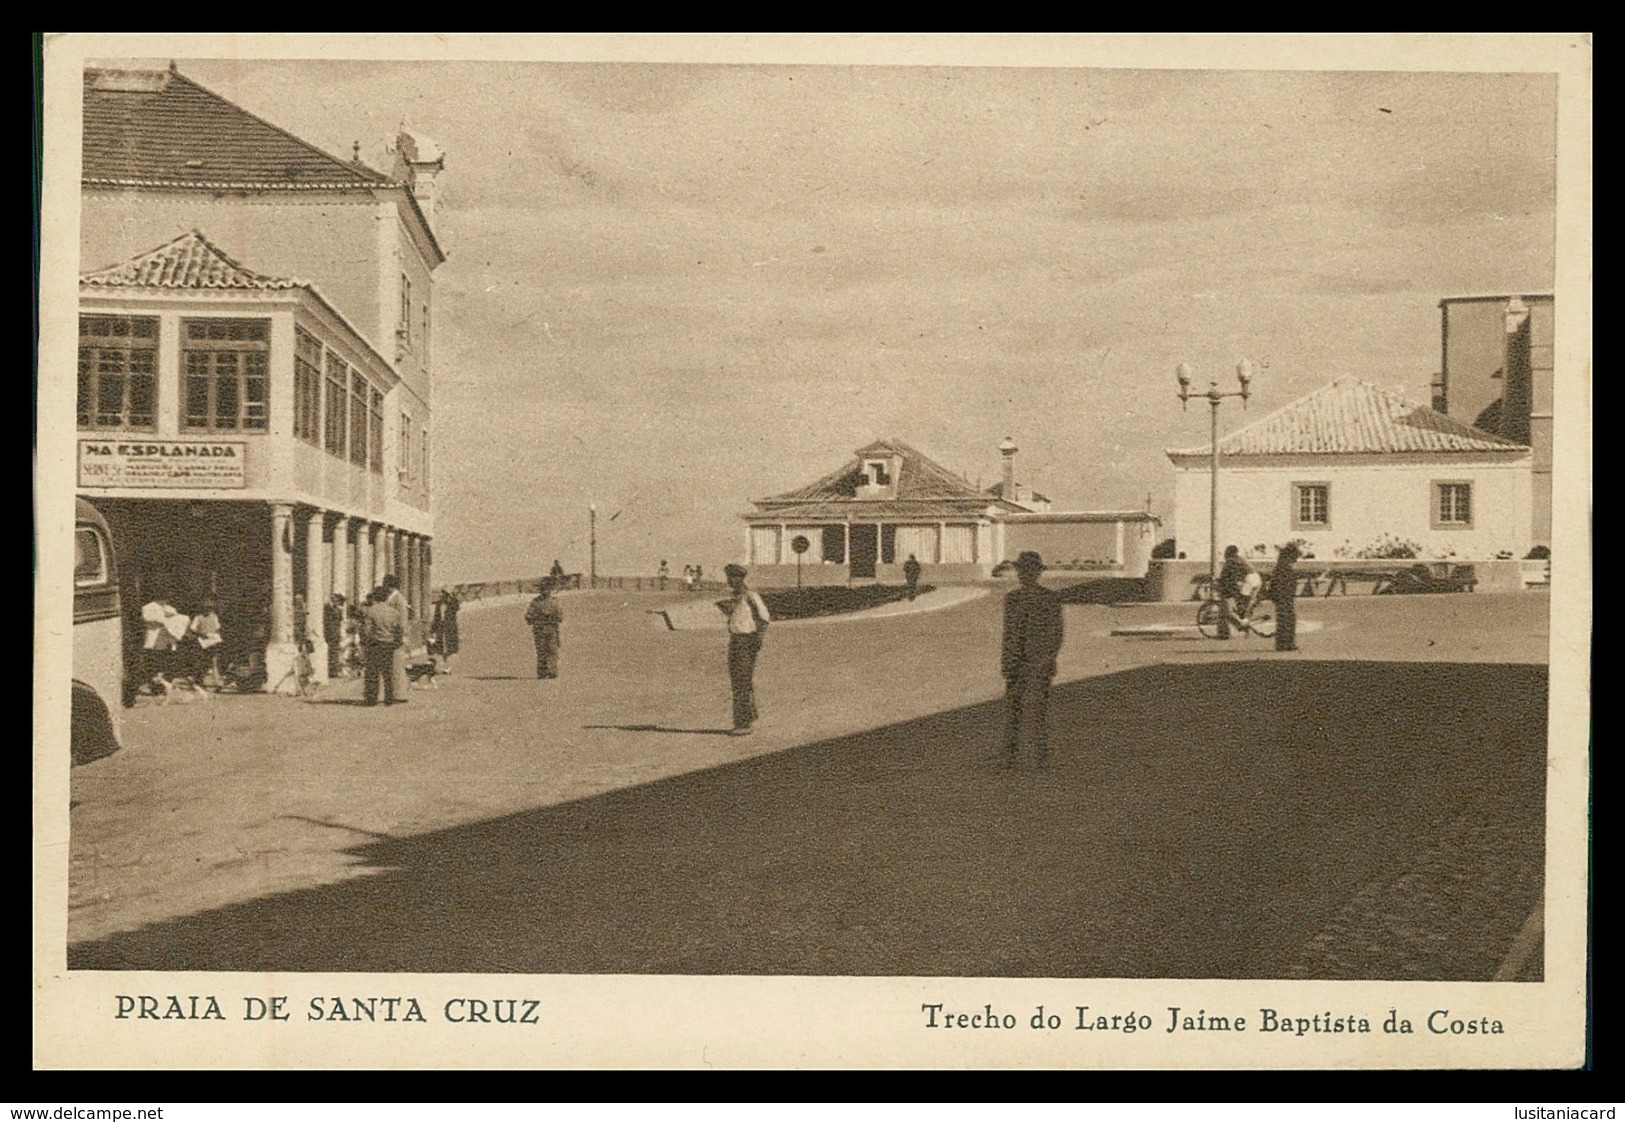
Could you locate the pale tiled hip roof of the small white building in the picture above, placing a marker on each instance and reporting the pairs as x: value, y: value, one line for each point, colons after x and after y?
x: 1354, y: 419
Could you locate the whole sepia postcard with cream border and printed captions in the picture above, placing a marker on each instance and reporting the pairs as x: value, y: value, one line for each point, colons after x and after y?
x: 813, y: 552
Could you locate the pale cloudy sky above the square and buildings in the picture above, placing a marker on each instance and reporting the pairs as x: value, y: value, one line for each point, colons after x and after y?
x: 677, y: 289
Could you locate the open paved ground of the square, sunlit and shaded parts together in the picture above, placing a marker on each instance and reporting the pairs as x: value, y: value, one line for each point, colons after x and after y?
x: 1366, y: 809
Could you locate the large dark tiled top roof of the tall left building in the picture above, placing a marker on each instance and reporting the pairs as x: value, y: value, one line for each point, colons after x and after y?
x: 157, y: 129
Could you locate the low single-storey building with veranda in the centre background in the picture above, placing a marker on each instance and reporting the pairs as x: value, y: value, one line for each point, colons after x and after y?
x: 891, y: 502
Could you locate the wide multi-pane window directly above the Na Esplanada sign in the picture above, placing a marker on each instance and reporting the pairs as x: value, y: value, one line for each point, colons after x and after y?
x: 227, y: 370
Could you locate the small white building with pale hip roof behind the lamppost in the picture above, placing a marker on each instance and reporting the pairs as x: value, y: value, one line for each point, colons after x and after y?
x: 1350, y: 466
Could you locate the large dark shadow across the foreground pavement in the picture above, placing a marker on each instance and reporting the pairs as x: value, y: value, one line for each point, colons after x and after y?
x: 1239, y: 820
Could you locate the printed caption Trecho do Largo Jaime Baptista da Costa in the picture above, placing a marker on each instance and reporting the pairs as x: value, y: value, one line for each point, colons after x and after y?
x: 1088, y: 1019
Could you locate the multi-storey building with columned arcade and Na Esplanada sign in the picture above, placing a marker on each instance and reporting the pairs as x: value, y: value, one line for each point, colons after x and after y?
x: 256, y: 360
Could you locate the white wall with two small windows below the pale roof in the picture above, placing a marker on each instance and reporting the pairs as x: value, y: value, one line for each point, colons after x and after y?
x: 1371, y: 498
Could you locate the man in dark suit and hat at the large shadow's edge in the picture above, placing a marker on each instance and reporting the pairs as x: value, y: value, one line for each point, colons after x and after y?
x: 1033, y: 640
